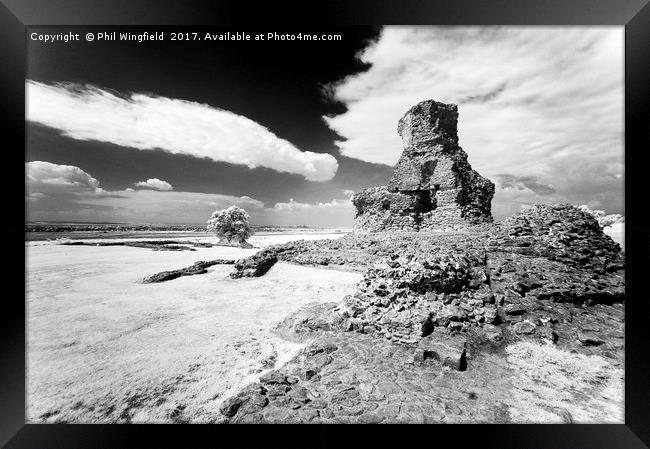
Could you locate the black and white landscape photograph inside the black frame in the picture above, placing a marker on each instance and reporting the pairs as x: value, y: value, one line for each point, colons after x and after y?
x: 325, y: 224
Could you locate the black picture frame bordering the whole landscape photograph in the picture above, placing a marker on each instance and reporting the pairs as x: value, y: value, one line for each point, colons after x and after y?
x: 634, y: 15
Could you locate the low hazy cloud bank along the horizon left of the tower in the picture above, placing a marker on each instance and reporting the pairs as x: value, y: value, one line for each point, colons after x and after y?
x: 67, y: 193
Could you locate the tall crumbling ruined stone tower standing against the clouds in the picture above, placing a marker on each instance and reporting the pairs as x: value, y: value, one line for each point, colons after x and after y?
x: 433, y: 187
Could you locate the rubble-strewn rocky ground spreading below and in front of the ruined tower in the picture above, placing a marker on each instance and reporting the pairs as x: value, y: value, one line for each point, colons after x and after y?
x: 520, y: 321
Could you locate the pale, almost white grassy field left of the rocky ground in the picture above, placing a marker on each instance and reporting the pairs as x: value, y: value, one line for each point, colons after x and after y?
x: 102, y: 347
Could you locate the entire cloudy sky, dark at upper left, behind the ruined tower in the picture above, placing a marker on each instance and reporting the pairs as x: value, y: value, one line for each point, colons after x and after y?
x: 167, y: 132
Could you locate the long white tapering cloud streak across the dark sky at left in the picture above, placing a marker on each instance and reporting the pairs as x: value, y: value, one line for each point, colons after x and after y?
x: 147, y: 122
